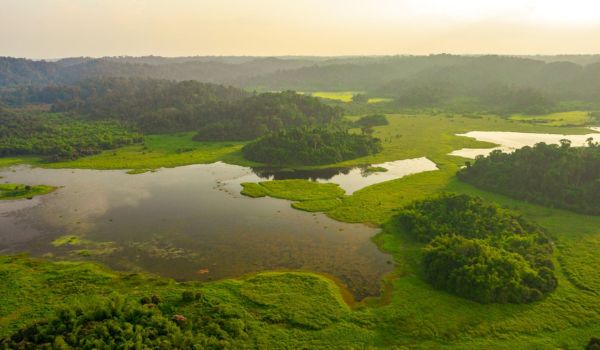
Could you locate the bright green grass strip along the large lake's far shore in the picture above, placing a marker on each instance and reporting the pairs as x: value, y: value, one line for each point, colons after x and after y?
x: 165, y: 150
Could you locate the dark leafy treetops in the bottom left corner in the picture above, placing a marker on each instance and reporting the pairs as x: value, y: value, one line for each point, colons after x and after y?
x: 119, y: 324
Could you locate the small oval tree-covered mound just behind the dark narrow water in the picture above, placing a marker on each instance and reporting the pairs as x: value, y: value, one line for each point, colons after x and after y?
x: 310, y: 147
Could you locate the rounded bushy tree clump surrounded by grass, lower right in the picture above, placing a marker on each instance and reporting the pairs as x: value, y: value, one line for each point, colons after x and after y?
x: 480, y: 251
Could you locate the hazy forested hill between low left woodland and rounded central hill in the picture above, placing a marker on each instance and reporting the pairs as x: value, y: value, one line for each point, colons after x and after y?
x: 152, y: 105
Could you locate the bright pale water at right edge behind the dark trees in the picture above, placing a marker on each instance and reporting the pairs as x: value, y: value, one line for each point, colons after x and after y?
x: 510, y: 141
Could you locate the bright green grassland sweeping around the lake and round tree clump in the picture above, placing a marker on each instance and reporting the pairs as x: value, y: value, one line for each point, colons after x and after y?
x: 299, y: 310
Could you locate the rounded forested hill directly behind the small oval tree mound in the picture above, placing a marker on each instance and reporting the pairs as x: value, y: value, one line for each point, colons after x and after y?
x: 269, y: 112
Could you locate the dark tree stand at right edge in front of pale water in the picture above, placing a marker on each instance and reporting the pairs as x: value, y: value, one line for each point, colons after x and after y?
x: 558, y: 176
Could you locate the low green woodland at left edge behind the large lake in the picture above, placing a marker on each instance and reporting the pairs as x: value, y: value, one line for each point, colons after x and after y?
x: 59, y: 137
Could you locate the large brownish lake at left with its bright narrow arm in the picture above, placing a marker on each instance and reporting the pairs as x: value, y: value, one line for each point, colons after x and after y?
x: 191, y: 223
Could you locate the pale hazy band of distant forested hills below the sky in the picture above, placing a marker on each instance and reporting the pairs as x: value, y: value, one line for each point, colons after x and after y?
x: 489, y: 83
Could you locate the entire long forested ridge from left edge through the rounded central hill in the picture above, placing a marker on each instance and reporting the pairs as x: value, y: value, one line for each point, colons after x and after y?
x: 159, y: 106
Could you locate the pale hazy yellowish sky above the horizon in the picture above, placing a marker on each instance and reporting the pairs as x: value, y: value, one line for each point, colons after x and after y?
x: 59, y: 28
